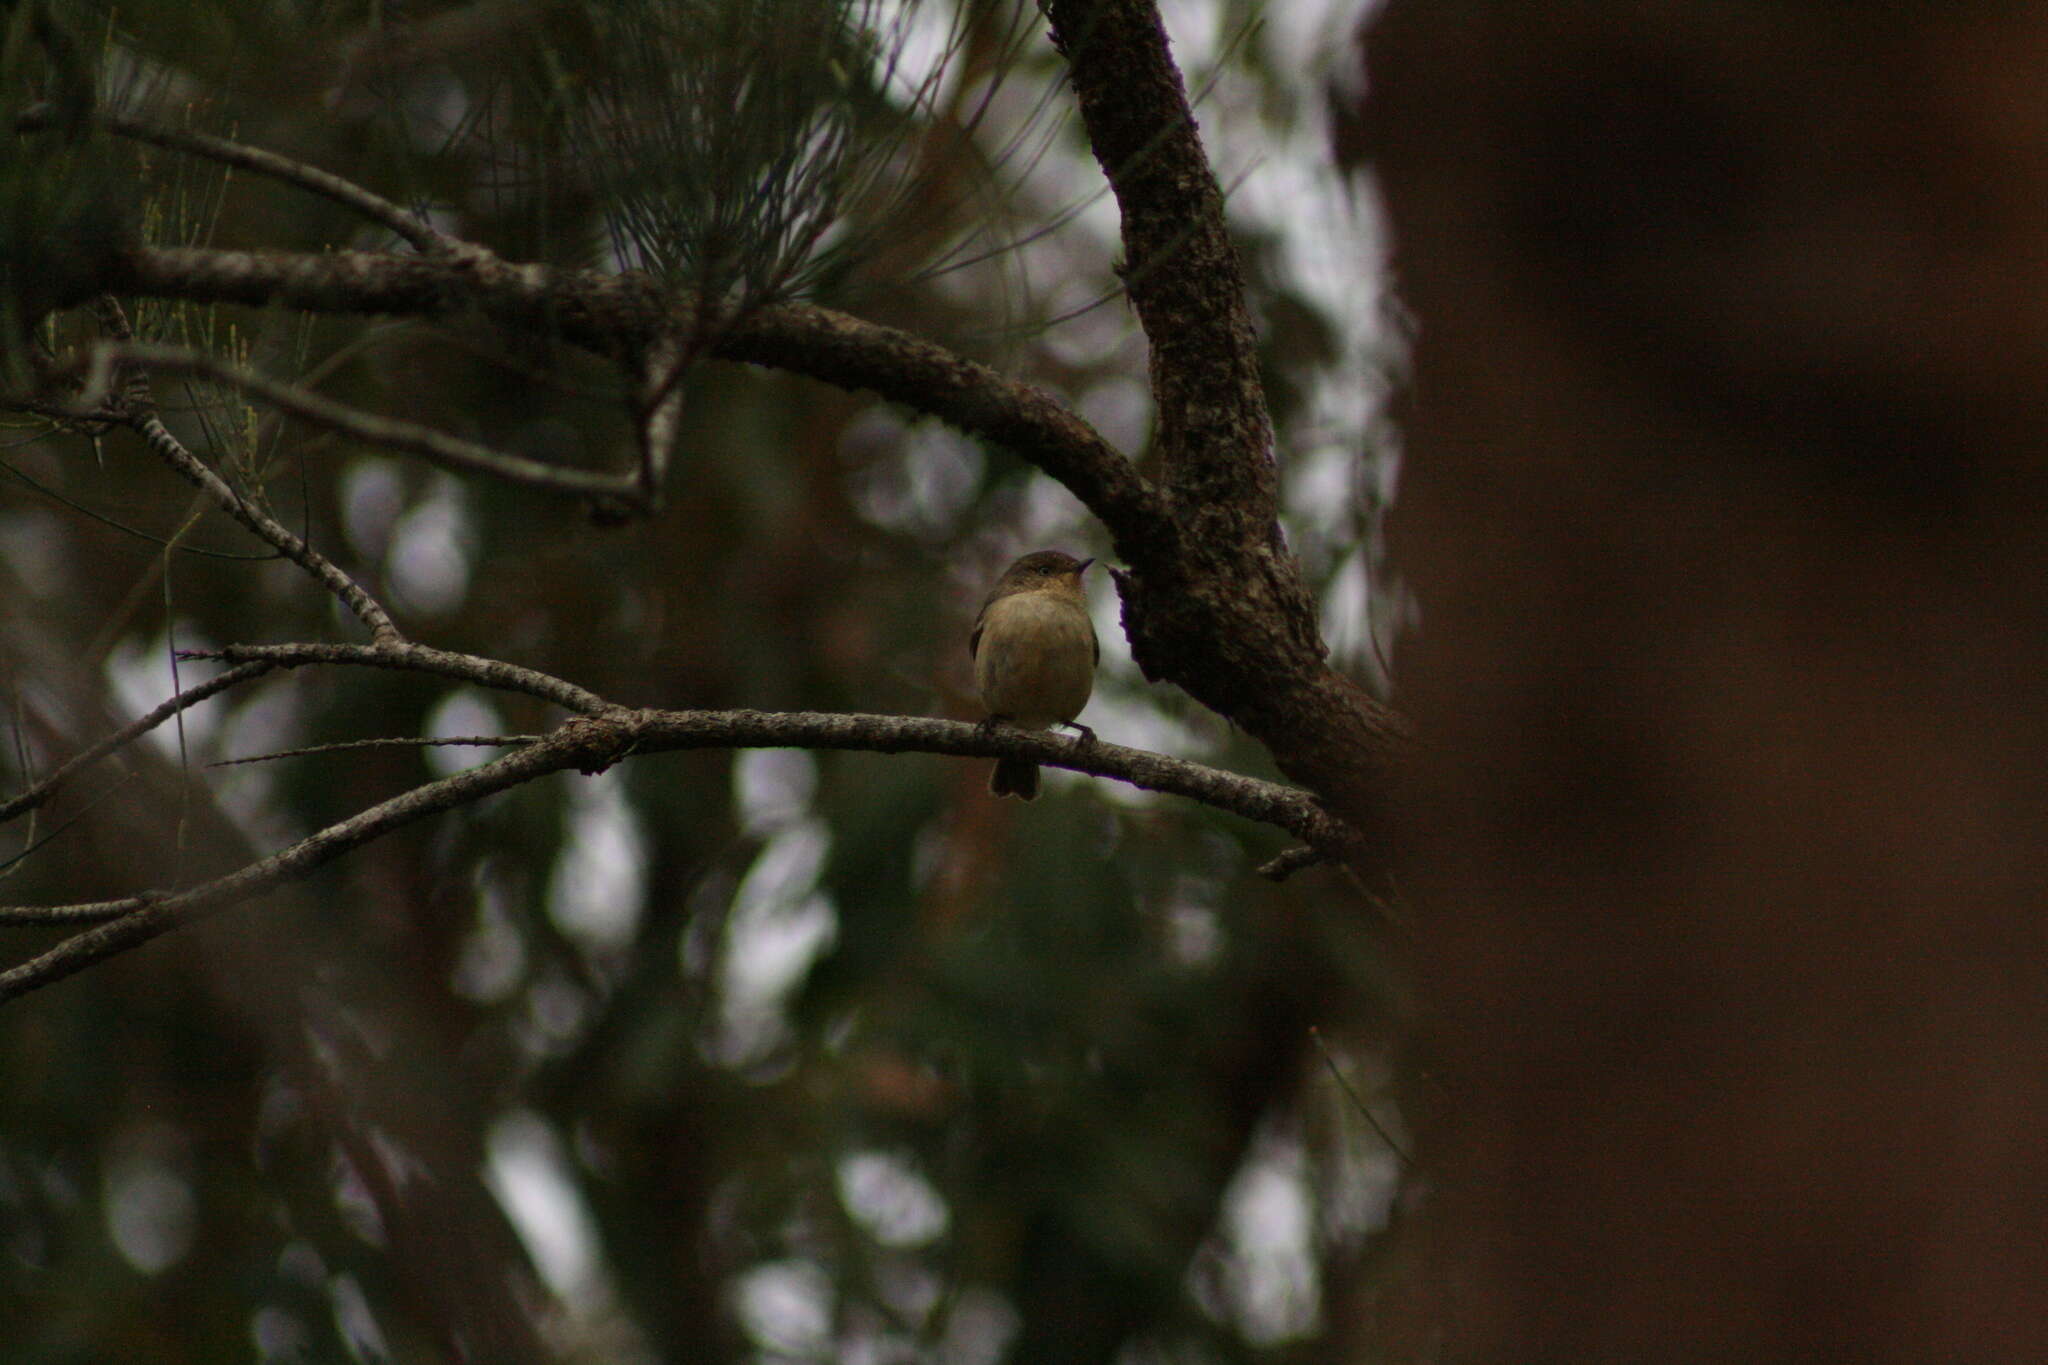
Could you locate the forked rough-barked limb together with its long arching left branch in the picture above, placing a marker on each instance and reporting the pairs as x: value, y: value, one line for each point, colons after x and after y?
x: 1213, y: 599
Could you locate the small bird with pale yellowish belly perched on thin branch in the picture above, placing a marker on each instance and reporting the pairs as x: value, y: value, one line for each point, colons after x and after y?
x: 1035, y: 656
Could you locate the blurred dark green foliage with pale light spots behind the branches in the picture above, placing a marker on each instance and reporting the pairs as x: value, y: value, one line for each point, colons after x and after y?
x: 765, y: 1055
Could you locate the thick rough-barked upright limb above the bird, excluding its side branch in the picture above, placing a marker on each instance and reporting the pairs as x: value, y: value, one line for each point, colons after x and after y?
x: 1218, y: 609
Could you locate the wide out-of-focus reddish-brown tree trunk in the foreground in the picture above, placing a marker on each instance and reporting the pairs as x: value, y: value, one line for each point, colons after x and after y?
x: 1727, y: 511
